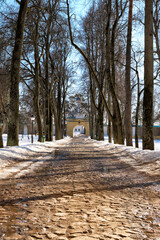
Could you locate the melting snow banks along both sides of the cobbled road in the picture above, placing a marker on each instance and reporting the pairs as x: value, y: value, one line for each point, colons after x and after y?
x: 28, y: 155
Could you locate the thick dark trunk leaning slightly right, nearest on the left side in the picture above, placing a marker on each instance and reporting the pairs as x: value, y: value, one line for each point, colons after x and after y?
x: 13, y: 117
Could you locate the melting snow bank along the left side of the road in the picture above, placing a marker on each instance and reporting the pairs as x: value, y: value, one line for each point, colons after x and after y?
x: 20, y: 159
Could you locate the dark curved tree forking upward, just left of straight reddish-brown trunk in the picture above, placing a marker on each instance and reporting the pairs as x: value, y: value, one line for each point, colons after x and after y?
x: 118, y: 131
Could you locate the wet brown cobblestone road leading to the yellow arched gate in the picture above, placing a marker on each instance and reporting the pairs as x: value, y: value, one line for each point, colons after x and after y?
x: 80, y: 192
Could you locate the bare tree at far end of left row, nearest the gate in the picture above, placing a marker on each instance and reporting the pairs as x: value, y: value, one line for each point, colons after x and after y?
x: 59, y: 82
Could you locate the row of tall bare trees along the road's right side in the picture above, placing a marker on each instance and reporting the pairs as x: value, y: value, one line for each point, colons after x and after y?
x: 107, y: 52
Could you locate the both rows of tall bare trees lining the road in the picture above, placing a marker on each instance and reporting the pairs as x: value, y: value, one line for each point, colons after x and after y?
x: 110, y: 64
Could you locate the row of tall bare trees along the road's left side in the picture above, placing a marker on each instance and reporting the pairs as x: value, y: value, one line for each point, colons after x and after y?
x: 41, y: 67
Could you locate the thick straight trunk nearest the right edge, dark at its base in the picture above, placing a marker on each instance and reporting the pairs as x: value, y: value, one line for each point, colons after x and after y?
x: 148, y: 140
